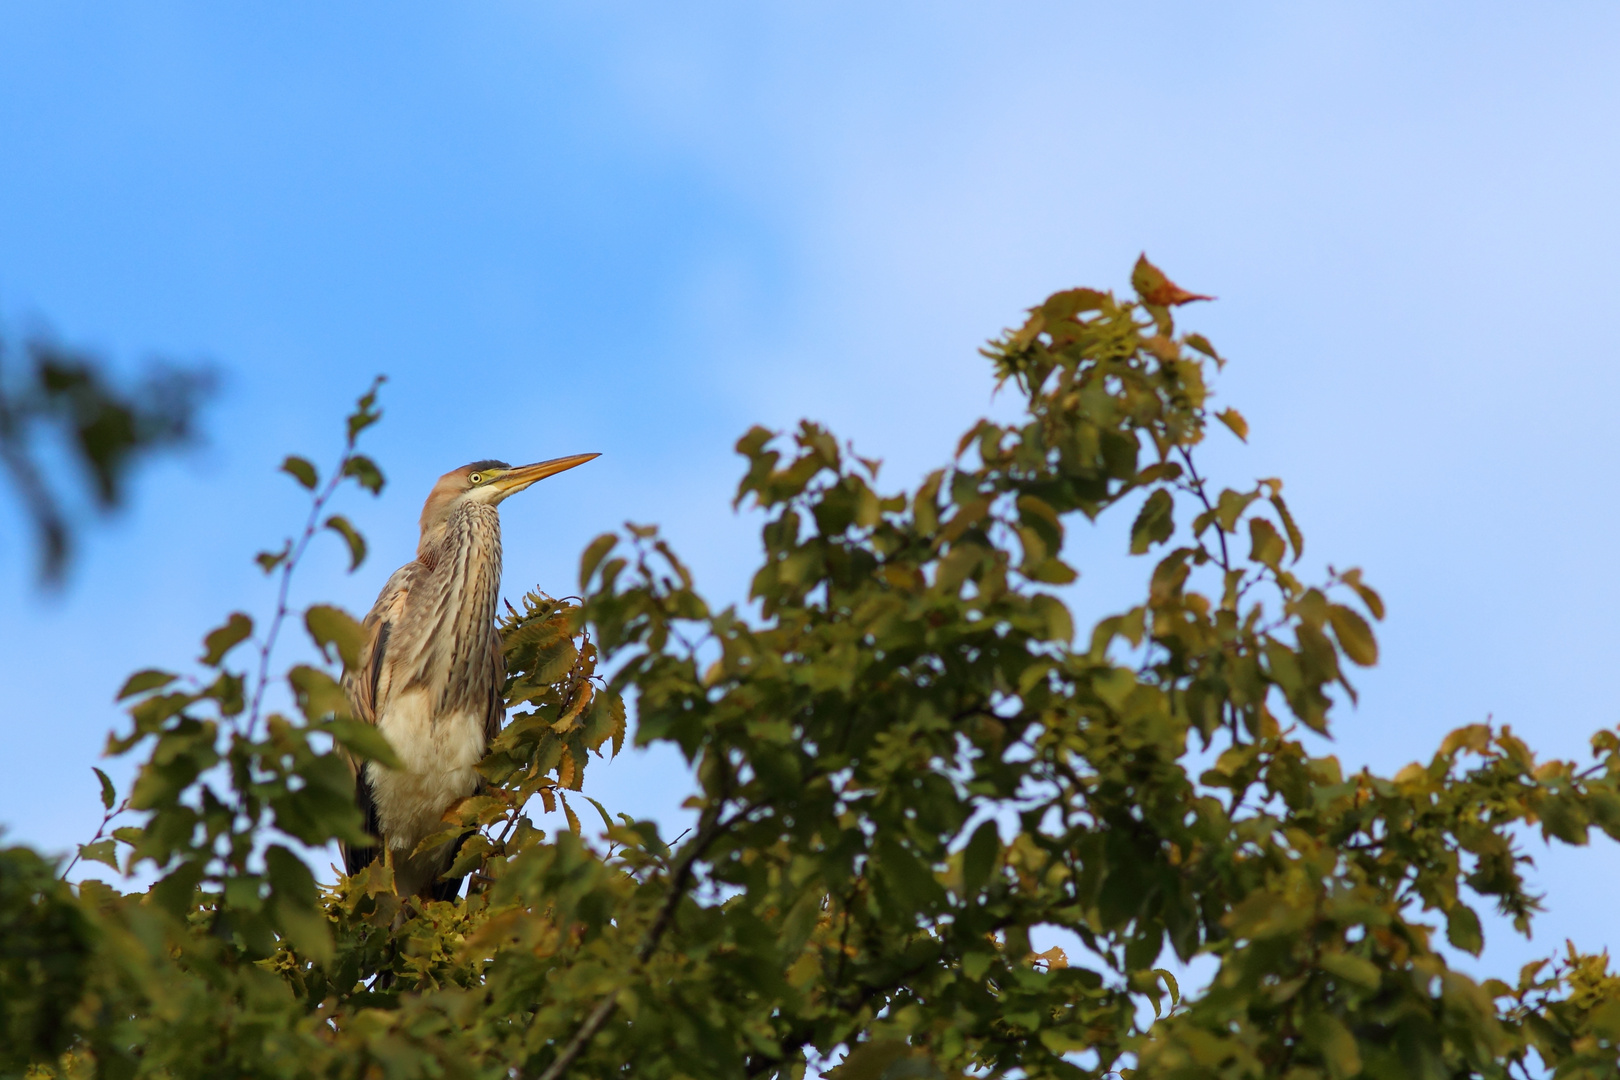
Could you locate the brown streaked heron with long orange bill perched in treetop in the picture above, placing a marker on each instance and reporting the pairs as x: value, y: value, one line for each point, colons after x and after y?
x: 430, y: 674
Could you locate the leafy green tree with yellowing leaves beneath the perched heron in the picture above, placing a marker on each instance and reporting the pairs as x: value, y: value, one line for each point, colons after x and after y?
x: 903, y: 765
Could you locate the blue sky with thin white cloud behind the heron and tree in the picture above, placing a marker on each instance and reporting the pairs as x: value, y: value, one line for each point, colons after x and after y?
x: 639, y: 229
